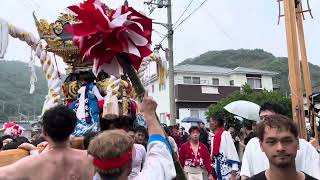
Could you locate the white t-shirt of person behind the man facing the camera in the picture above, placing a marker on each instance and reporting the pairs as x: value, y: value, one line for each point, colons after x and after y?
x: 255, y: 161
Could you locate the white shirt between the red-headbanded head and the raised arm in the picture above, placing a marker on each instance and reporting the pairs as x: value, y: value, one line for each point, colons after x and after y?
x: 138, y: 161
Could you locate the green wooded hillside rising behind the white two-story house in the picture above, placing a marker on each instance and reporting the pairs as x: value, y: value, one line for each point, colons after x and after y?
x: 258, y: 59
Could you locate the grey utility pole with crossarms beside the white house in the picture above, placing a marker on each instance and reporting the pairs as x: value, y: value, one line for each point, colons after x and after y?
x: 168, y: 25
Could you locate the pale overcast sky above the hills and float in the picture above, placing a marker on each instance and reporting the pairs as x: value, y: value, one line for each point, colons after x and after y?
x: 217, y: 25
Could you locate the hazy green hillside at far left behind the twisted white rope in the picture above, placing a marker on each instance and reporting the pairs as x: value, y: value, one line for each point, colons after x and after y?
x: 14, y: 90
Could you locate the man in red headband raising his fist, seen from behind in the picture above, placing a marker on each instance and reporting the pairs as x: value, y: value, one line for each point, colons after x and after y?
x: 113, y: 151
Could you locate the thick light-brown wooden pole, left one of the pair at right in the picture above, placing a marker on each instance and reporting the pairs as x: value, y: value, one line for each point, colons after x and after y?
x: 294, y: 67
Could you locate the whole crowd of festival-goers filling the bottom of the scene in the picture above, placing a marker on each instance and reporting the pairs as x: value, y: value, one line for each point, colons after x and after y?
x: 270, y: 149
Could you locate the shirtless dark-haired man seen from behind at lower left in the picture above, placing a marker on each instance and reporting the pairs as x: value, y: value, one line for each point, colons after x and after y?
x: 60, y: 161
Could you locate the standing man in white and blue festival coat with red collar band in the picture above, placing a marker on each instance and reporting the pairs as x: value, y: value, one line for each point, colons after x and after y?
x: 223, y: 151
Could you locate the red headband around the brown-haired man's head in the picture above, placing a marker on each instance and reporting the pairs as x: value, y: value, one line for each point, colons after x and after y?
x: 118, y: 162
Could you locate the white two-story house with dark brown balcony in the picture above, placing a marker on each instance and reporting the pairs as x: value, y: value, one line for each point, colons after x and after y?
x: 198, y: 86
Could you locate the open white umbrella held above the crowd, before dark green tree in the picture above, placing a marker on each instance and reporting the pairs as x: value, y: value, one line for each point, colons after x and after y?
x: 244, y: 109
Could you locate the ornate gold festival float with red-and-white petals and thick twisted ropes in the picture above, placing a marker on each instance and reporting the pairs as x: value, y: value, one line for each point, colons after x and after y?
x: 106, y: 51
